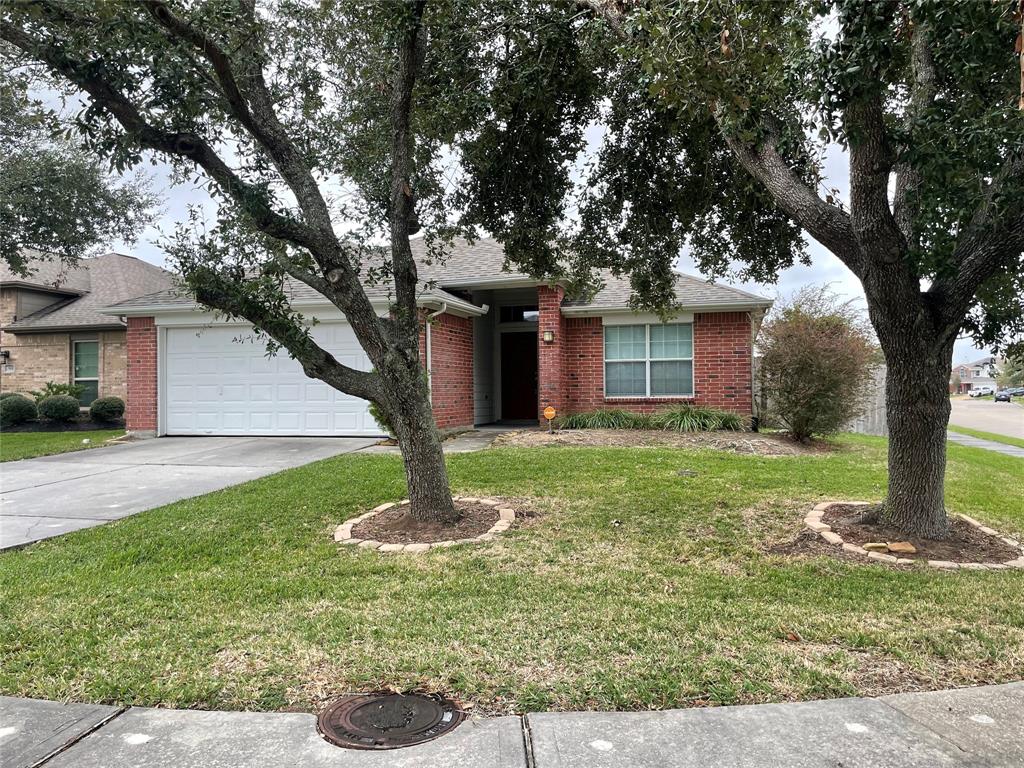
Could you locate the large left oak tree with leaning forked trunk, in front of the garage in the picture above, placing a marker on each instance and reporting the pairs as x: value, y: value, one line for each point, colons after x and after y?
x: 322, y: 131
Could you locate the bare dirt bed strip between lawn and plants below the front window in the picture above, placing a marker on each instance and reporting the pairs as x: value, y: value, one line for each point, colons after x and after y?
x: 755, y: 444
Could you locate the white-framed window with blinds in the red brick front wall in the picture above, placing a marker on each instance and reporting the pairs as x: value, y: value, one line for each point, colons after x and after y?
x: 649, y: 361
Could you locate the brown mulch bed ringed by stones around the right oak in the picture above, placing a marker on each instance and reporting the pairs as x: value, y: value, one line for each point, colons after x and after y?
x: 966, y: 543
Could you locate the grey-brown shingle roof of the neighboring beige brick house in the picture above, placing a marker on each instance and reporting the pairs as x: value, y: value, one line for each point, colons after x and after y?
x: 101, y: 281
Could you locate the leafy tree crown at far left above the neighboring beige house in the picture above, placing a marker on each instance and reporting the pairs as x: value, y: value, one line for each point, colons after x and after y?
x: 54, y: 197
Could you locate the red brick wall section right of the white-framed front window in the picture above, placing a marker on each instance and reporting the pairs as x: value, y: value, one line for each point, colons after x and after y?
x: 722, y: 357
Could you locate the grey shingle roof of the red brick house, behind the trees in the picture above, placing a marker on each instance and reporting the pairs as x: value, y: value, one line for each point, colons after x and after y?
x: 484, y: 261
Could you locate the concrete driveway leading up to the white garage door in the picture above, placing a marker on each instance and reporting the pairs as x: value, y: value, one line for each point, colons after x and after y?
x: 54, y: 495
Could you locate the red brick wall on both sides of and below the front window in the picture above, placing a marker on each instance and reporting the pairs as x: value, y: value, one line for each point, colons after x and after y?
x: 722, y: 354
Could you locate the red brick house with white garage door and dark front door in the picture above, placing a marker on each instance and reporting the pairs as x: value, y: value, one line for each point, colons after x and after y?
x: 500, y: 348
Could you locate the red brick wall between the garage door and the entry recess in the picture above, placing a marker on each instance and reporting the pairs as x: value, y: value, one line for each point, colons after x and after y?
x: 452, y: 370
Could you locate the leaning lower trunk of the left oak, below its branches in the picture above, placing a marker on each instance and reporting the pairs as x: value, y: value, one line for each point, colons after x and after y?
x: 419, y: 441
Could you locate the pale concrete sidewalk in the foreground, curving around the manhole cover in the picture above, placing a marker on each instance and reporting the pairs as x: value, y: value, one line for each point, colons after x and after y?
x: 967, y: 729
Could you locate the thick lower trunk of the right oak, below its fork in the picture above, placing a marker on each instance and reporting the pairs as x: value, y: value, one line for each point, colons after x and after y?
x: 918, y: 410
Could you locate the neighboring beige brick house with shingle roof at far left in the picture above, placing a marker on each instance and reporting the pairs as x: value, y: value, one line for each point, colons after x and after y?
x: 52, y: 329
